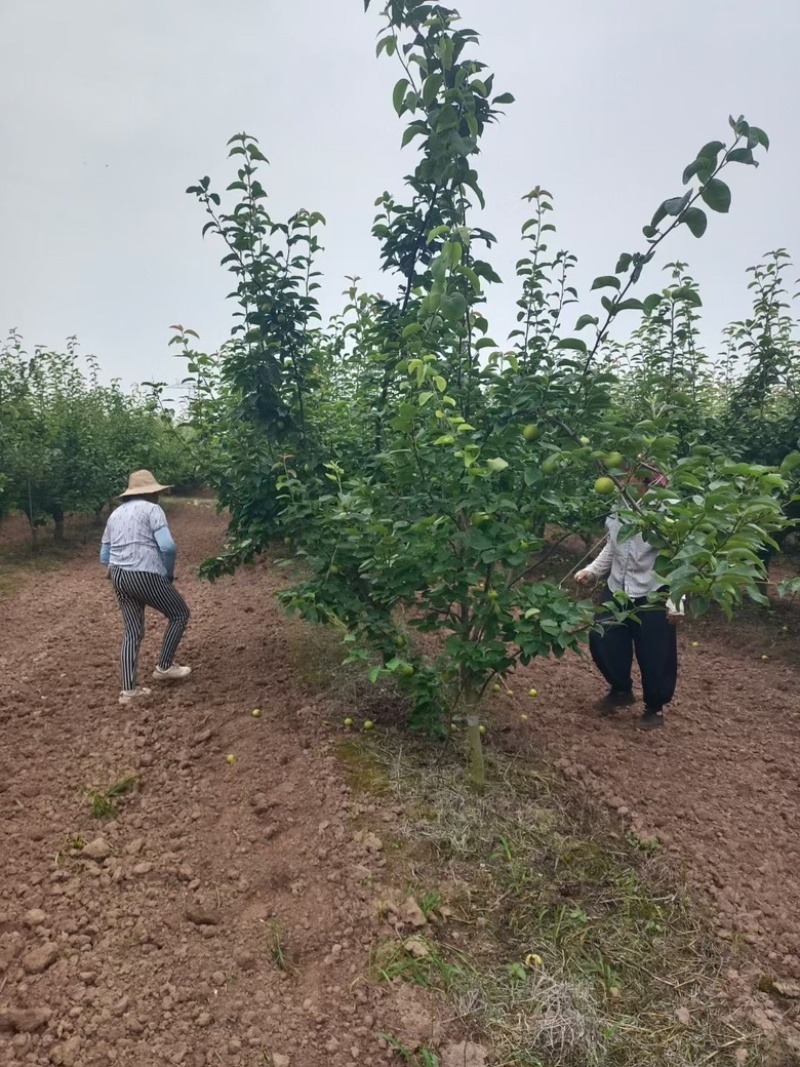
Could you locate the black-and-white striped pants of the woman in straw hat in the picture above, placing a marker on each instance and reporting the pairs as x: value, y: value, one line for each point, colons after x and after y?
x: 136, y: 591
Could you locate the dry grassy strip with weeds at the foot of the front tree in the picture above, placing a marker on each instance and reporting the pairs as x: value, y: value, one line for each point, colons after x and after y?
x: 571, y: 944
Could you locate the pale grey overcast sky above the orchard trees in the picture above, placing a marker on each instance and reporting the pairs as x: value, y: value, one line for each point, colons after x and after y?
x: 109, y: 110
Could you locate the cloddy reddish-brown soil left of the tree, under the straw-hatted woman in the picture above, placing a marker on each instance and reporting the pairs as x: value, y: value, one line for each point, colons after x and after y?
x: 170, y: 950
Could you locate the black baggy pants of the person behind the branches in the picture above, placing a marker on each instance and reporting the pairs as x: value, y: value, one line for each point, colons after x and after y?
x: 654, y: 640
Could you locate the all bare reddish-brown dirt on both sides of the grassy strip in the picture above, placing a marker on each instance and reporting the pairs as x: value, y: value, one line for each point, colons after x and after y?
x: 226, y: 916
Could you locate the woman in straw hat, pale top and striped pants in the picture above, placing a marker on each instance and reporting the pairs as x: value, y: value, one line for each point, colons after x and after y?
x: 139, y: 552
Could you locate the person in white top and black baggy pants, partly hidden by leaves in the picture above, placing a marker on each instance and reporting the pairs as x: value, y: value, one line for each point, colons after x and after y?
x: 630, y: 567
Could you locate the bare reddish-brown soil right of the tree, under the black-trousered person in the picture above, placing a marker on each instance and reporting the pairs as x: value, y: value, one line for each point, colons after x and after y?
x: 719, y: 786
